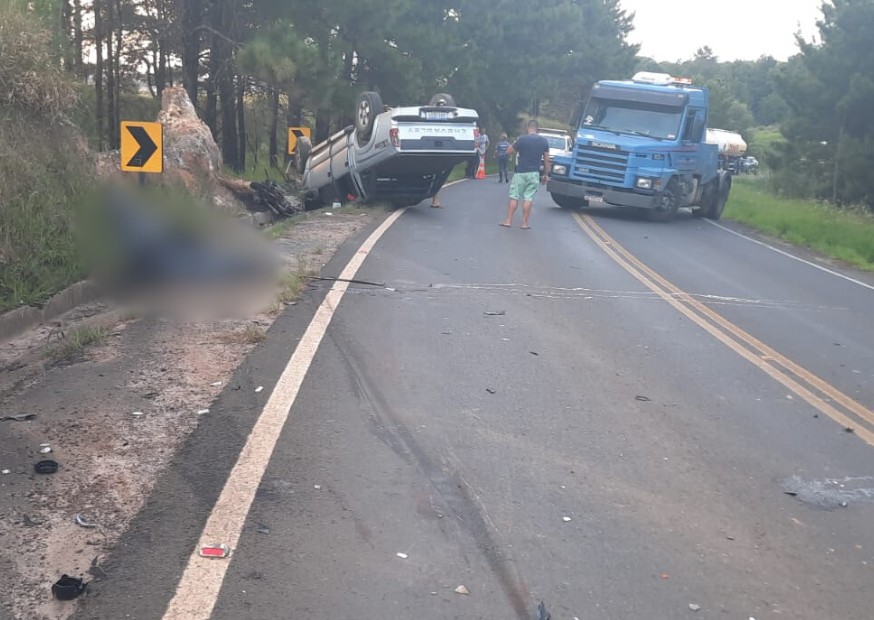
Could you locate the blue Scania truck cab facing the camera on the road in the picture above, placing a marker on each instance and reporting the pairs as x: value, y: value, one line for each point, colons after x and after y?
x: 641, y: 143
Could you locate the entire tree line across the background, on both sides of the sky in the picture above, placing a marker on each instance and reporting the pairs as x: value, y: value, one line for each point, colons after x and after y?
x: 254, y: 66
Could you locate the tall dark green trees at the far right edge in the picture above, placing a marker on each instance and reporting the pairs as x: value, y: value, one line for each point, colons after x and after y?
x: 829, y: 88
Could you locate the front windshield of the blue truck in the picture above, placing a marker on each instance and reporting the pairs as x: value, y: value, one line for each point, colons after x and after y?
x: 655, y: 121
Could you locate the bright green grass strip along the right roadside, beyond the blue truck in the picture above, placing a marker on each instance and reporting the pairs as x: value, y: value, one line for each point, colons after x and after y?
x: 843, y: 234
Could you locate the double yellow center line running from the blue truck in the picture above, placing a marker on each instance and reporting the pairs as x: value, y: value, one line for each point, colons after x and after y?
x: 818, y: 393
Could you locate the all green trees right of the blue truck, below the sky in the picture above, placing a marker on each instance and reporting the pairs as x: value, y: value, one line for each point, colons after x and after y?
x: 820, y: 100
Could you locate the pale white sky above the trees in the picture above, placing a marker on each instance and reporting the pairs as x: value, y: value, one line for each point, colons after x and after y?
x: 670, y: 30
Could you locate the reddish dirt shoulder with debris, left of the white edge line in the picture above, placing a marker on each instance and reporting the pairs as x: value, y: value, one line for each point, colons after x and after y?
x: 109, y: 457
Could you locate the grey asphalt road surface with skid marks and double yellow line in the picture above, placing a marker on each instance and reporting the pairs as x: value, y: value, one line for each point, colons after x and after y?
x: 622, y: 419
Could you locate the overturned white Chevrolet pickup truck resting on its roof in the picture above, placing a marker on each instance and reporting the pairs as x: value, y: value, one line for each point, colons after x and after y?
x: 399, y: 155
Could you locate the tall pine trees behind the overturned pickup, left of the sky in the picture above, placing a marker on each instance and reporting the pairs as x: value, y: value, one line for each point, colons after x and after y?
x: 304, y: 61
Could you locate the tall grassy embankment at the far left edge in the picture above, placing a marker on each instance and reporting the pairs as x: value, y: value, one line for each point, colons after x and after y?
x: 44, y: 167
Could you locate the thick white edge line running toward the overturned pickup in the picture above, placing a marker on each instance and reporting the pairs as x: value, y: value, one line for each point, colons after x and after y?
x: 199, y: 587
